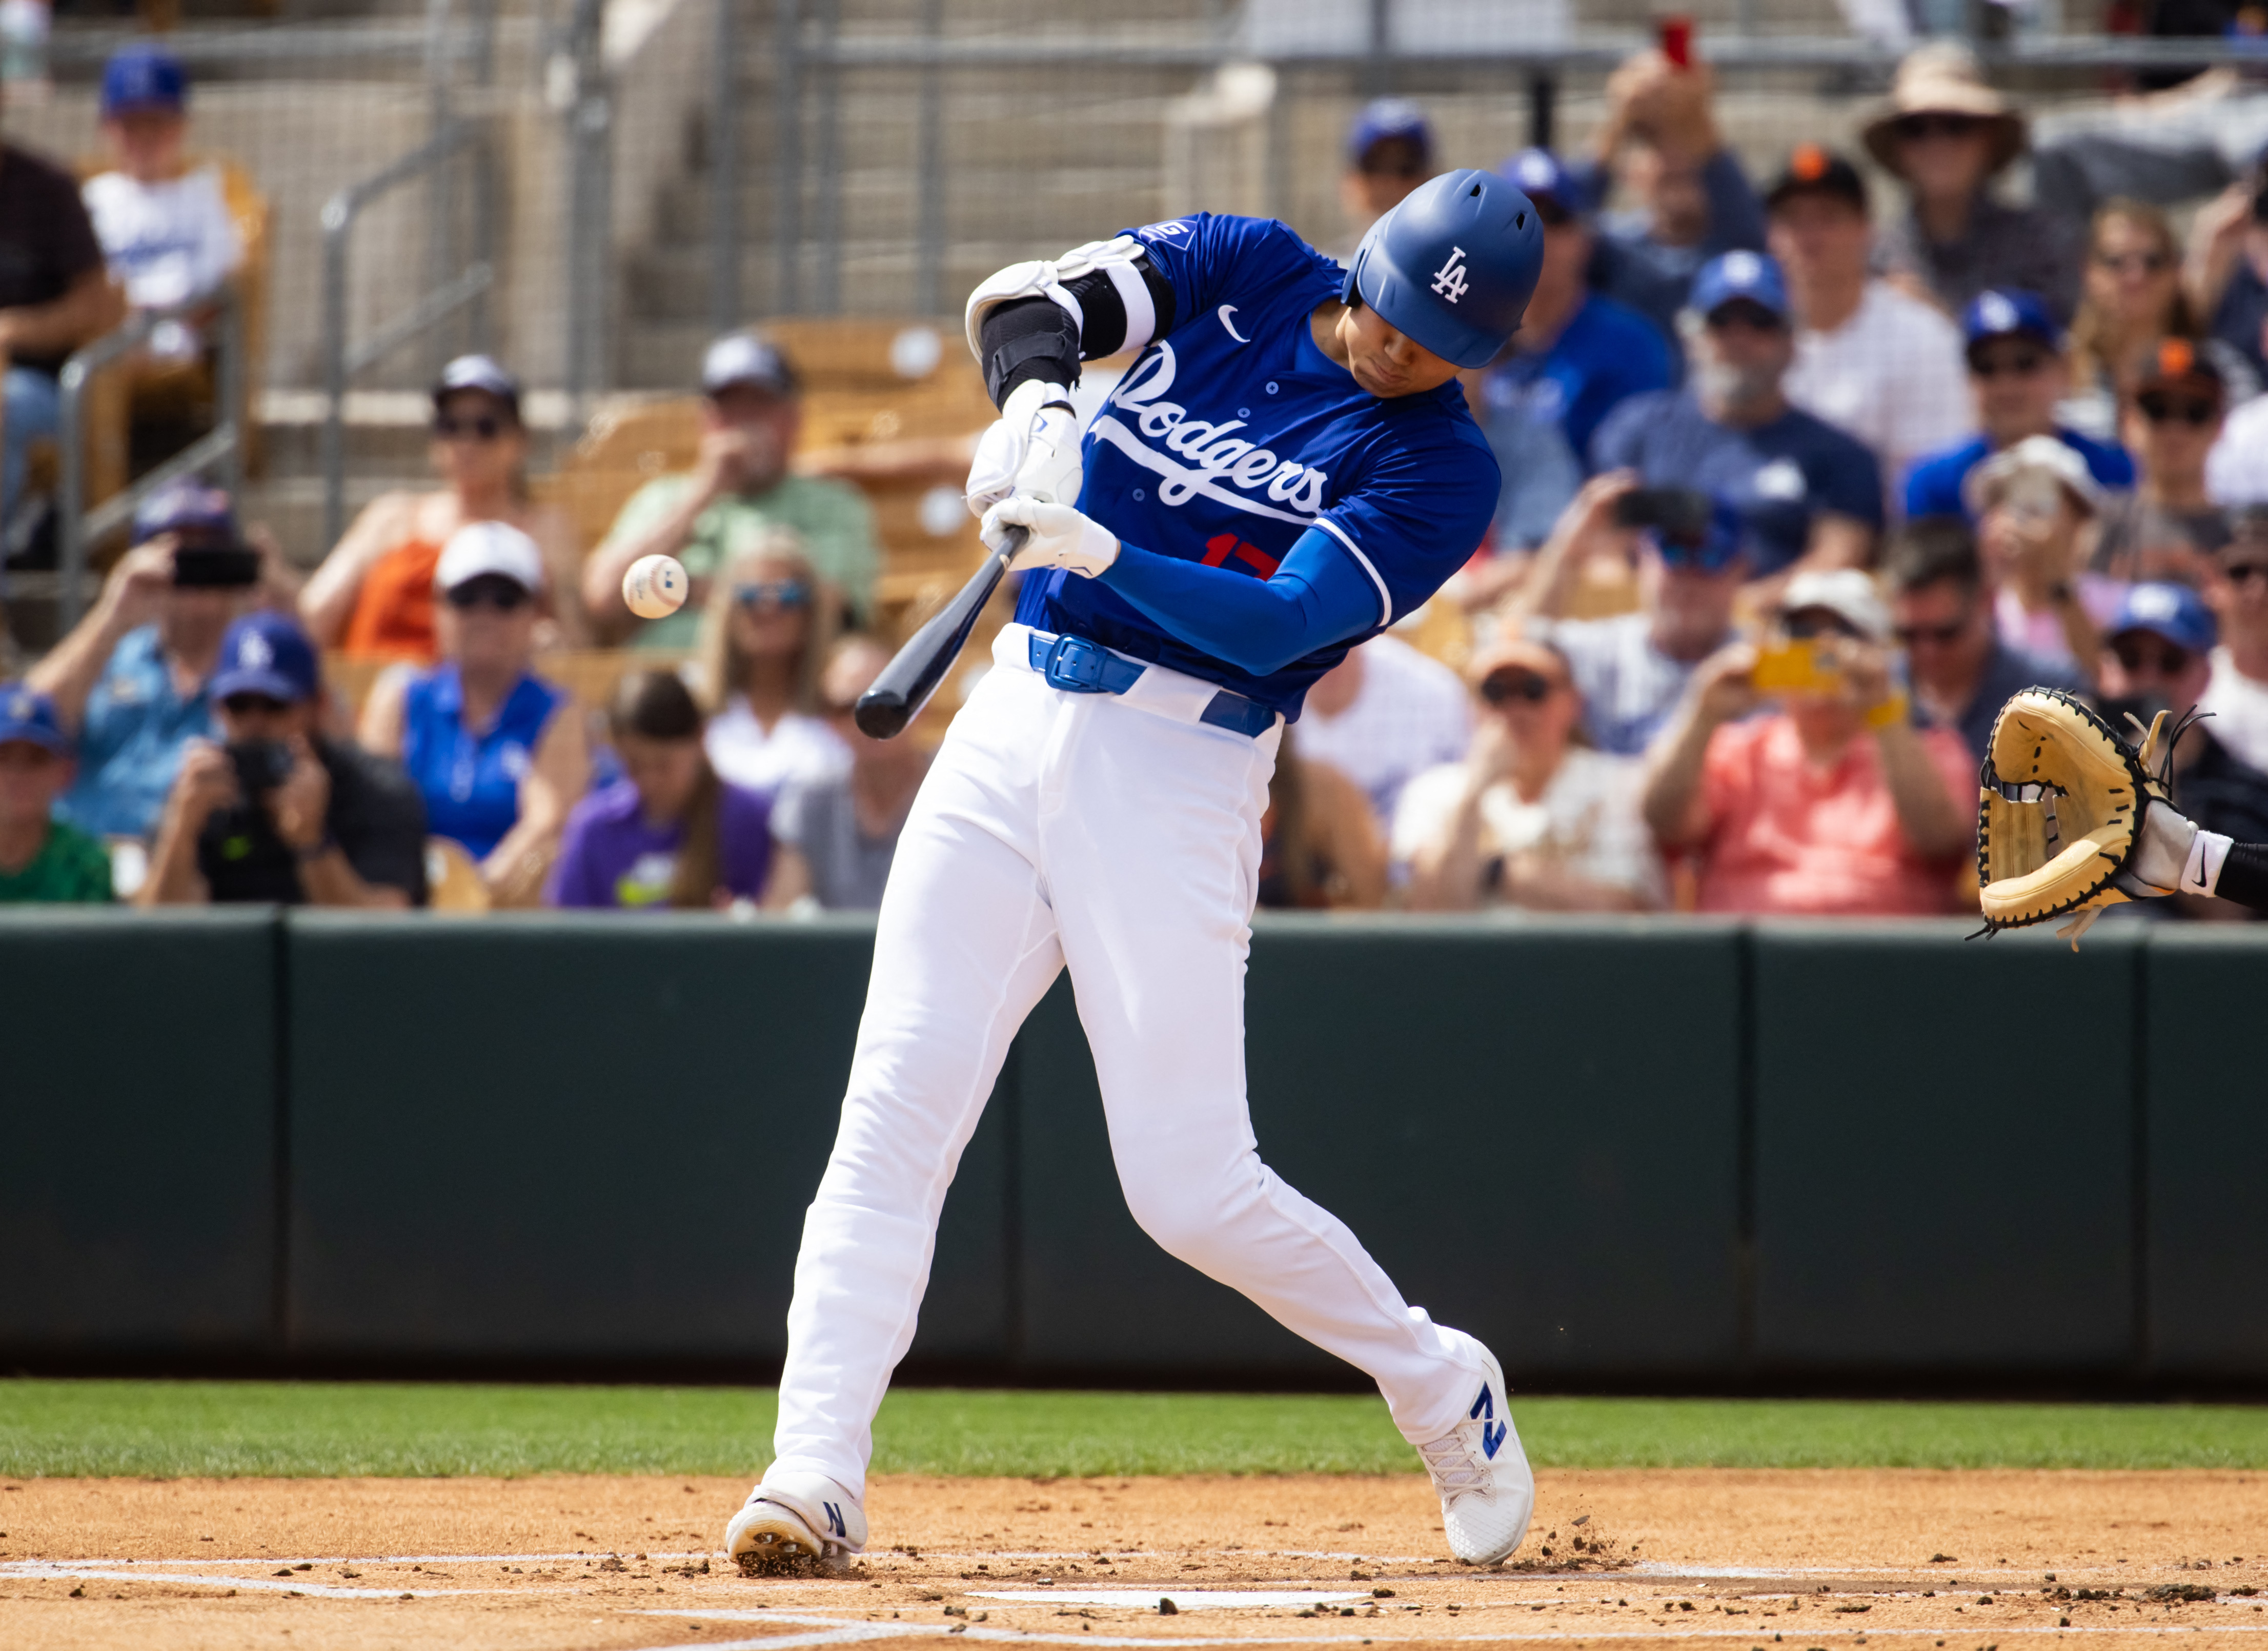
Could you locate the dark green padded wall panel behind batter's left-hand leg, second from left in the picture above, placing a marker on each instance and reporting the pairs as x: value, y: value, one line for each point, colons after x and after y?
x: 584, y: 1140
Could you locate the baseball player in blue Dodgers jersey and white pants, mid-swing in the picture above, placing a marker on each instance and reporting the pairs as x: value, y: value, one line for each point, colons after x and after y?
x: 1285, y: 471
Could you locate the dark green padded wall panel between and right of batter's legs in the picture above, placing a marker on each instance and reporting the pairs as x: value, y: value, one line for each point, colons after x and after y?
x: 1534, y: 1128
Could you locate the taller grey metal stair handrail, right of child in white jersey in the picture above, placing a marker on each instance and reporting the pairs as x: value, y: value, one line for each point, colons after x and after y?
x: 468, y: 289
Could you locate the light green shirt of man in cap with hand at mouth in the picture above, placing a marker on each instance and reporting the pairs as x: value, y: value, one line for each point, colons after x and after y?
x: 831, y: 518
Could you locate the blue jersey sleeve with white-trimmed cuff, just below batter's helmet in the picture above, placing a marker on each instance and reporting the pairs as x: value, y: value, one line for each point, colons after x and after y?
x: 1416, y: 516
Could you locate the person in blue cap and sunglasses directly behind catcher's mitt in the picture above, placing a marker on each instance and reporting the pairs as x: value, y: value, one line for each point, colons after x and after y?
x: 2158, y: 654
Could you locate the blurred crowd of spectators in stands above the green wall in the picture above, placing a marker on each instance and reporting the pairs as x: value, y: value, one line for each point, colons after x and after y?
x: 1802, y: 482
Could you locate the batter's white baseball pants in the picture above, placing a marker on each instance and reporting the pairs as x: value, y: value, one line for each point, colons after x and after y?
x: 1117, y: 836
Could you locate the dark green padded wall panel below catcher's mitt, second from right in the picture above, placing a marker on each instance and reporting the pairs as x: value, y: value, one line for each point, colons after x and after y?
x: 1945, y: 1151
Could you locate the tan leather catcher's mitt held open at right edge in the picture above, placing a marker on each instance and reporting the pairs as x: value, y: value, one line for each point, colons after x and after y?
x: 2060, y: 806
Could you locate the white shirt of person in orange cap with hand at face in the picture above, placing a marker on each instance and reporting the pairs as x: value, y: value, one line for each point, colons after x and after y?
x: 1586, y: 822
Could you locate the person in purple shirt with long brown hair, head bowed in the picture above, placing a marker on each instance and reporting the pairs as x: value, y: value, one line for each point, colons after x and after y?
x: 670, y: 833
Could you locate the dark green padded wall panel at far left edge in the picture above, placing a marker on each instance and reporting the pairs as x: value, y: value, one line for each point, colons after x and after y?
x: 137, y: 1131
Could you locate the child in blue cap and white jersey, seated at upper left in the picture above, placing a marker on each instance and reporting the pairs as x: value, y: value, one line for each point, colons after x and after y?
x: 167, y: 228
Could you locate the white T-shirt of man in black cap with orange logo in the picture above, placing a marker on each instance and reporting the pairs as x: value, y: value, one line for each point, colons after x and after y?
x: 1893, y: 375
